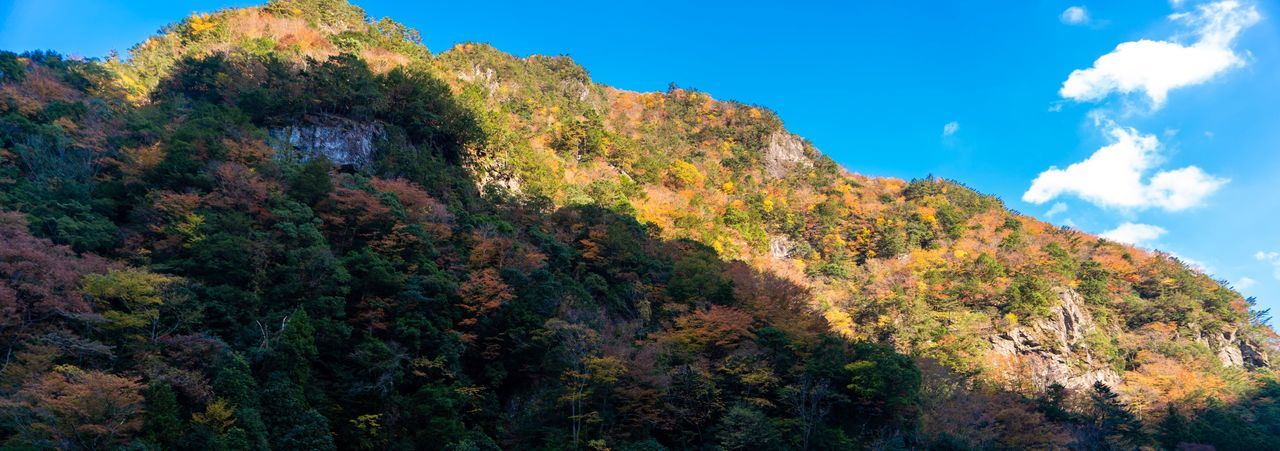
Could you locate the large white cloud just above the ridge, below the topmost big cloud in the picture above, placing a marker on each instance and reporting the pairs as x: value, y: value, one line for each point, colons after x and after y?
x: 1116, y: 177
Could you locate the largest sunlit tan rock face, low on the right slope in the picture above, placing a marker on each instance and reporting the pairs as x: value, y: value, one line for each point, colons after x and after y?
x: 1043, y: 352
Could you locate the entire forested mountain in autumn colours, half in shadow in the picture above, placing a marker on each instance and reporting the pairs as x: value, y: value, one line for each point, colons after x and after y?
x: 295, y: 227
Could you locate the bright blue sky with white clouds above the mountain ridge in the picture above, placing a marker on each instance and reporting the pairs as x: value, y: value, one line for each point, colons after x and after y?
x: 1173, y: 117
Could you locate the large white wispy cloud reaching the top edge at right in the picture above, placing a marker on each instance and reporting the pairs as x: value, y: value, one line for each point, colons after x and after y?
x: 1158, y: 67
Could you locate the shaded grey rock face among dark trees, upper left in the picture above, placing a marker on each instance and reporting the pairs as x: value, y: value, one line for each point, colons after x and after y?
x: 345, y: 143
